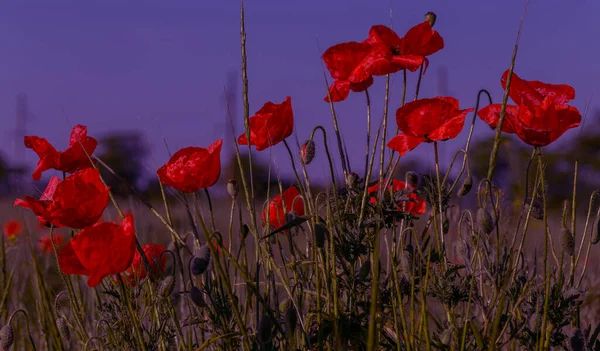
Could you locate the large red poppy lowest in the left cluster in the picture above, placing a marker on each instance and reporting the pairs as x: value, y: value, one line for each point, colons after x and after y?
x: 99, y: 251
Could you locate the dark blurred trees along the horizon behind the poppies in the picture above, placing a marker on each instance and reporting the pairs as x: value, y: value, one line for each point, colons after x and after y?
x: 127, y: 153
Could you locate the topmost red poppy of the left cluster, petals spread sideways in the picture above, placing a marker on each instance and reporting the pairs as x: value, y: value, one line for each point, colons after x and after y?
x: 73, y: 158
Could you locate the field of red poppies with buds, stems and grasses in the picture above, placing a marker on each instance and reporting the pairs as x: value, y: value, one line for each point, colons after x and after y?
x: 376, y: 260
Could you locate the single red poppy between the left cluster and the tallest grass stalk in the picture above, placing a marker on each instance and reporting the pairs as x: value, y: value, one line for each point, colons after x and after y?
x: 193, y: 168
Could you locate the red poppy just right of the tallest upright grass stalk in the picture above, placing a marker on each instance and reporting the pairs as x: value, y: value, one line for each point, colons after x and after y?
x: 270, y: 125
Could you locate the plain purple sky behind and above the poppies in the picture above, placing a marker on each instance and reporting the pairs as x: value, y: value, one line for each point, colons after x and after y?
x: 160, y: 66
